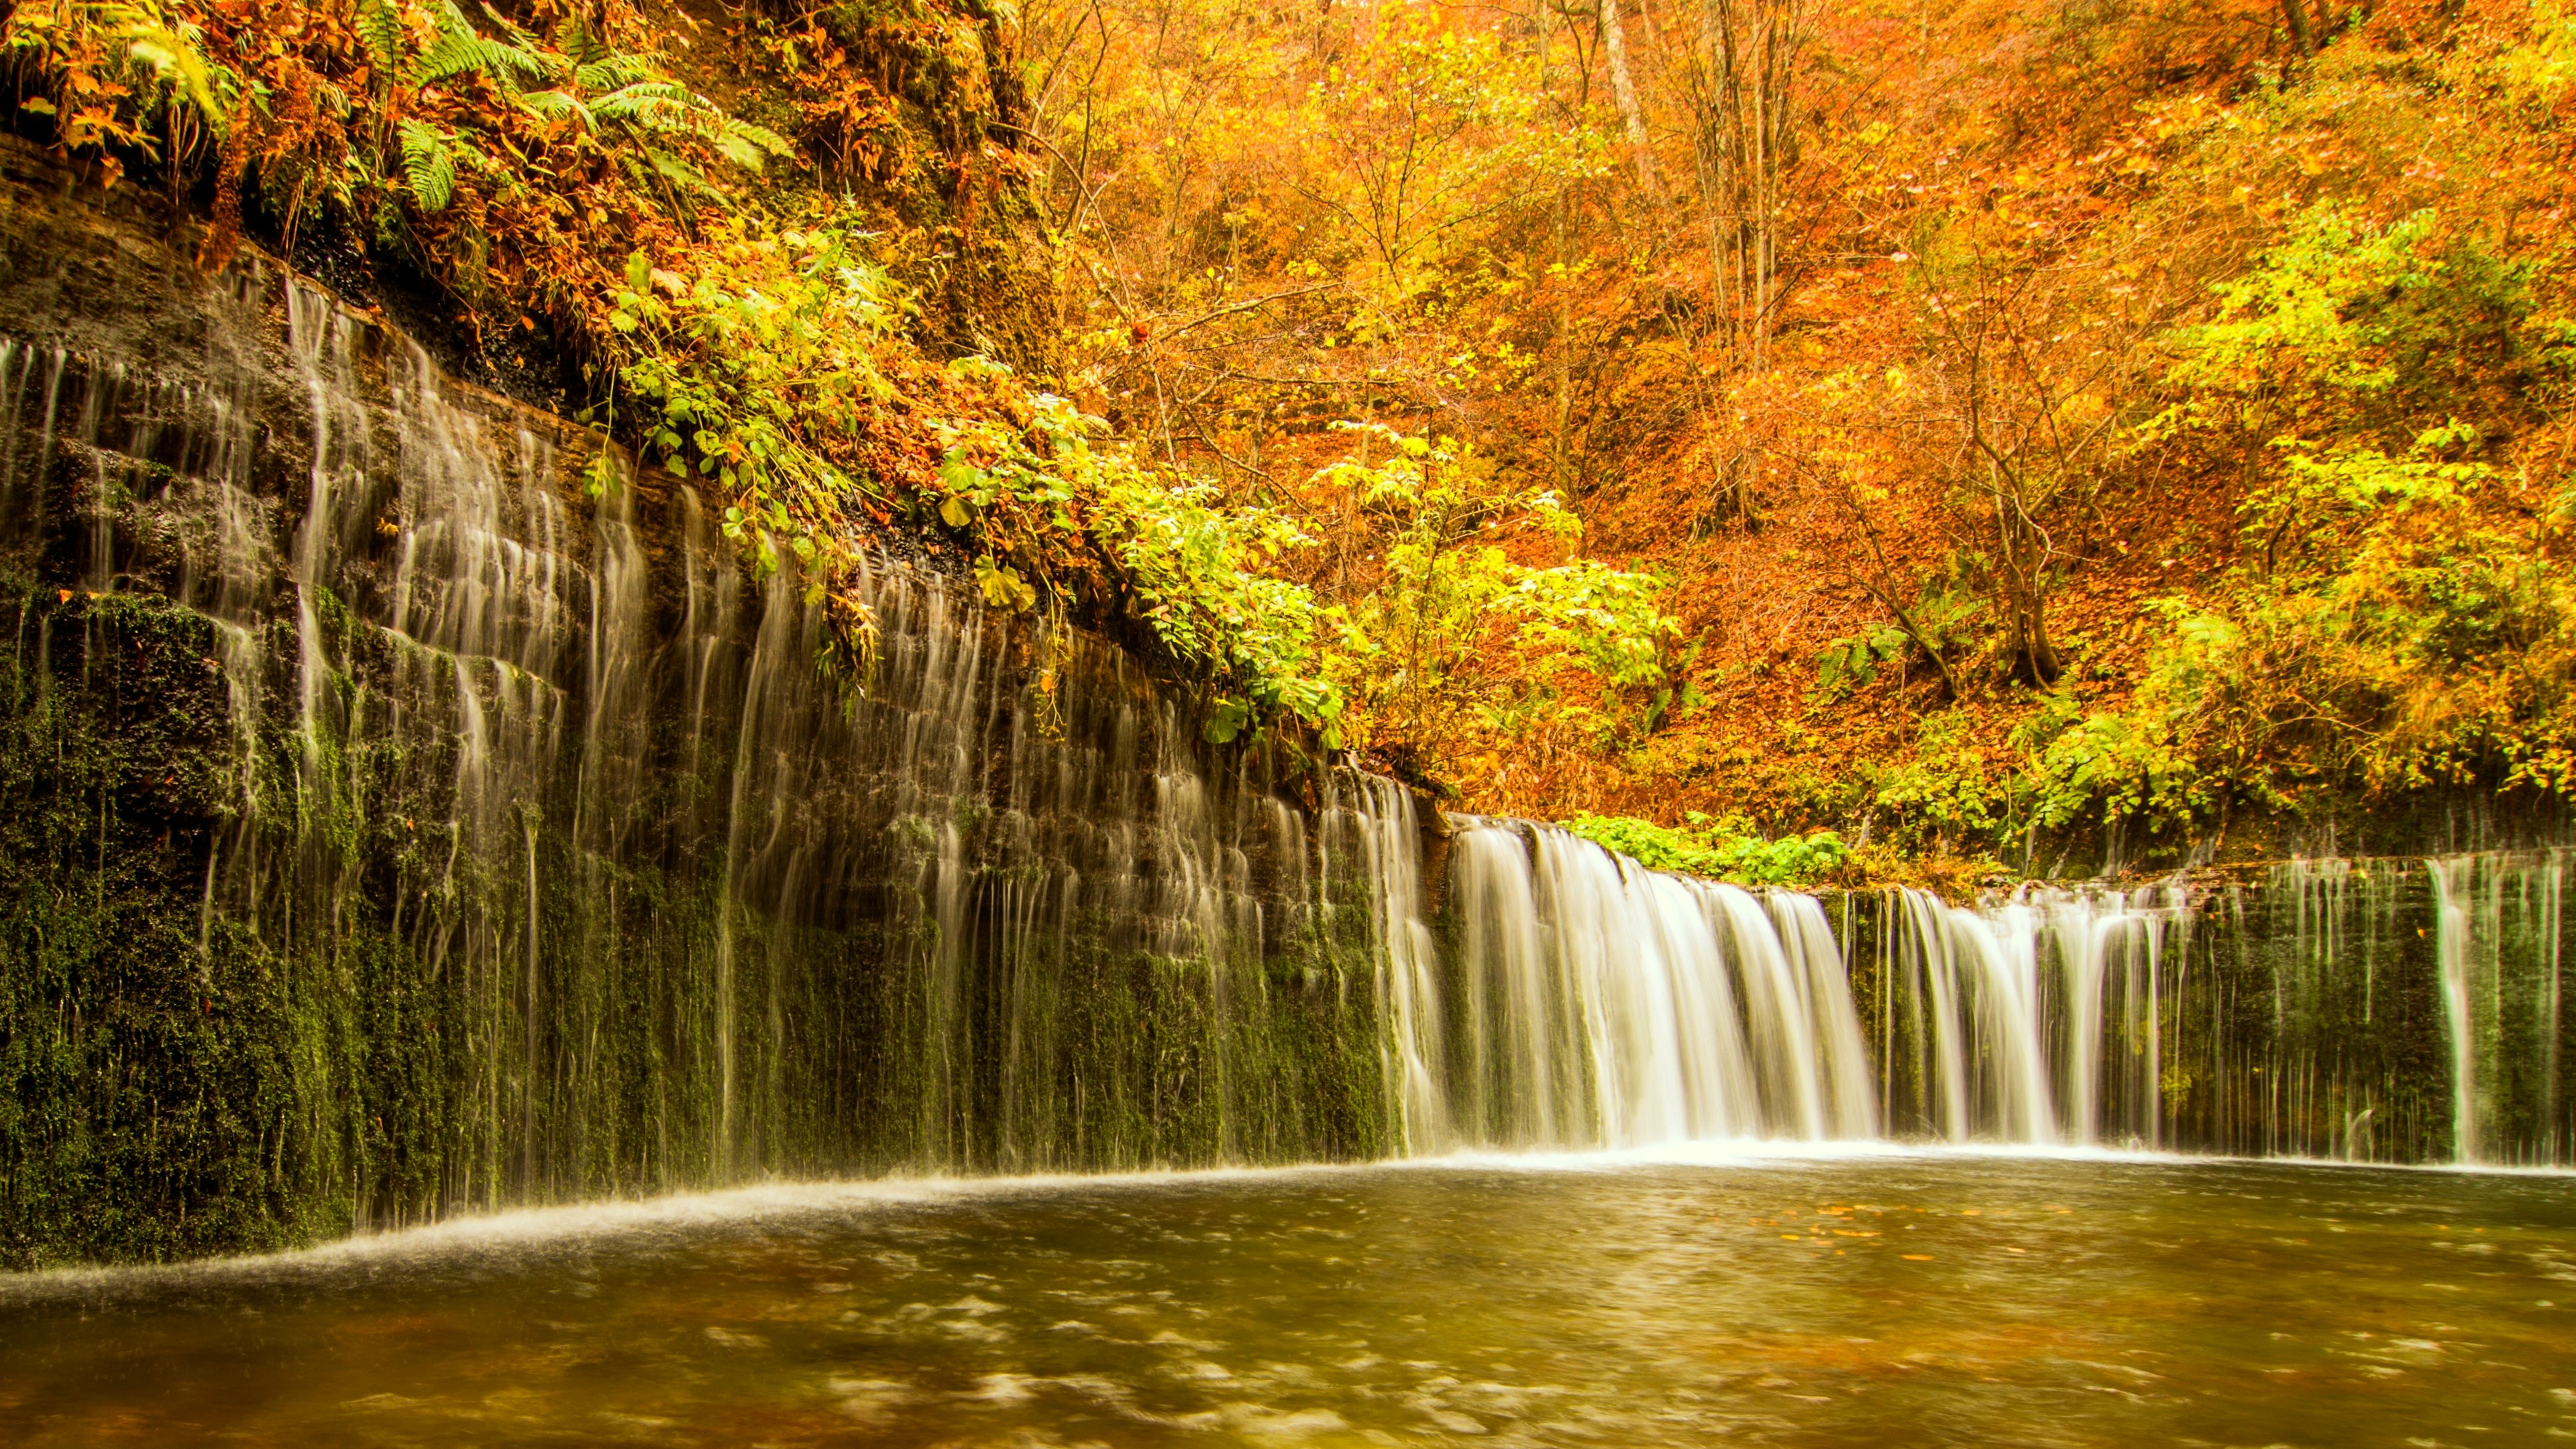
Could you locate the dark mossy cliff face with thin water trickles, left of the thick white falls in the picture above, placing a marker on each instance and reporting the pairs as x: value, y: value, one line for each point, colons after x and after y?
x: 395, y: 824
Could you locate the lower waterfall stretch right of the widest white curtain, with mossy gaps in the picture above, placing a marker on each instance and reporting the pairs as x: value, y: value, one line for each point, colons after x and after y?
x: 2338, y: 1009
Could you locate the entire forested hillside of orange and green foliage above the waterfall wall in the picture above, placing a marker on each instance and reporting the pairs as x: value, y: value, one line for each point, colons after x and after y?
x: 1975, y: 432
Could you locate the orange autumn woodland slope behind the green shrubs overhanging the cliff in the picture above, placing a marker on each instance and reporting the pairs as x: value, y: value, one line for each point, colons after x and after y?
x: 1964, y: 370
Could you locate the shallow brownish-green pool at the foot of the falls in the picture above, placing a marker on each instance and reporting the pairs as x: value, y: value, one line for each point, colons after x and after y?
x: 1866, y: 1301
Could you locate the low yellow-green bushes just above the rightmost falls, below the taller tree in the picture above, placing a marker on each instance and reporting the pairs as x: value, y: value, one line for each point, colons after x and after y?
x: 2438, y: 651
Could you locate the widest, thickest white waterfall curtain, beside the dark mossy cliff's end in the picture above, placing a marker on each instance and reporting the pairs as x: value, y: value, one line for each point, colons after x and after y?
x: 1609, y: 1007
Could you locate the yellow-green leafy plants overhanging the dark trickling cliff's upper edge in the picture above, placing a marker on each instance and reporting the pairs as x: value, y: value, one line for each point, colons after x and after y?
x: 774, y: 370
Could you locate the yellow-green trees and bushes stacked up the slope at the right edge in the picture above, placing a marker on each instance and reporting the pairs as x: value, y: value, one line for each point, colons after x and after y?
x: 2394, y: 618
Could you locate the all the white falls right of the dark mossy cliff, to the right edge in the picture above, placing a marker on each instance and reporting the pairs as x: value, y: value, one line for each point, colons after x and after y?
x: 2338, y: 1009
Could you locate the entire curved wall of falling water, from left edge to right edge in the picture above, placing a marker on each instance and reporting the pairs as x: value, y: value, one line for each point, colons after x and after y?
x: 411, y: 829
